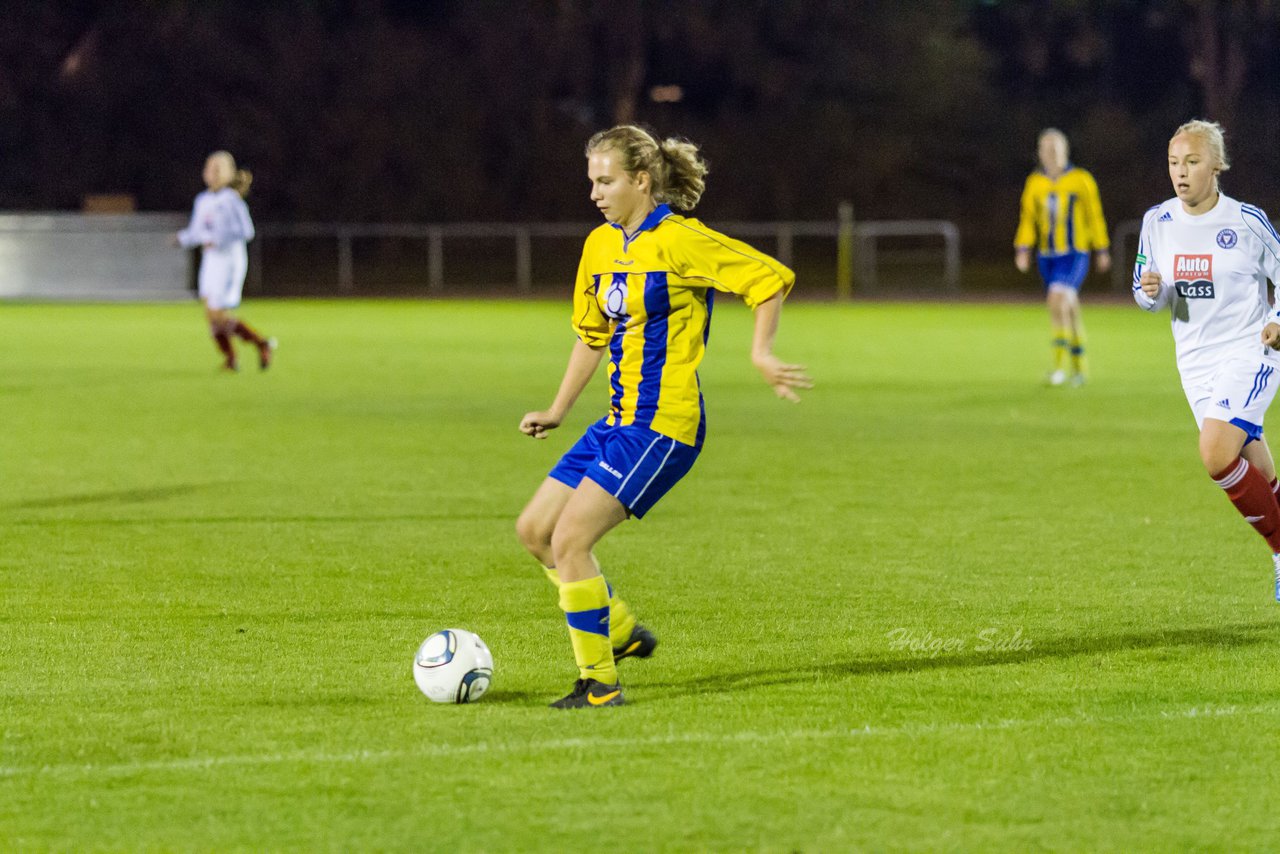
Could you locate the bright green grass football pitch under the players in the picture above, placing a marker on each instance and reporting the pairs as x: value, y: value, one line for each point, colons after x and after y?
x: 936, y: 606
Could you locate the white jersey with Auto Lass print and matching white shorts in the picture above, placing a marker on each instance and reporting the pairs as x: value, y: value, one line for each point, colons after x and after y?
x: 1214, y: 273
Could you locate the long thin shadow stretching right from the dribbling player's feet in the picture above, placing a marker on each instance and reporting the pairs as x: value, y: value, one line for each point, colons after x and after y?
x: 1226, y: 637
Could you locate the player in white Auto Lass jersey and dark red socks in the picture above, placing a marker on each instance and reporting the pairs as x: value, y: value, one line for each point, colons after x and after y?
x: 1208, y: 259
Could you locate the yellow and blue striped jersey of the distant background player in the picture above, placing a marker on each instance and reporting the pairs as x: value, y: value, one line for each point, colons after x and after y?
x: 1062, y: 216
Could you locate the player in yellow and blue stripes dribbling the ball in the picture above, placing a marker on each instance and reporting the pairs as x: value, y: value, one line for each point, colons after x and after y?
x: 644, y: 295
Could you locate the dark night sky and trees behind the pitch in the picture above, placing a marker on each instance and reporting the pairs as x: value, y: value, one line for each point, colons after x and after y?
x: 447, y: 111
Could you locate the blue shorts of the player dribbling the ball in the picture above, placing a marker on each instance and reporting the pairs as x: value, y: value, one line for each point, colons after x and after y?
x: 633, y: 464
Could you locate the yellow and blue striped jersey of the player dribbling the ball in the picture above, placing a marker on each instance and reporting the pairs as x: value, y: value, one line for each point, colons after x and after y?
x: 648, y: 298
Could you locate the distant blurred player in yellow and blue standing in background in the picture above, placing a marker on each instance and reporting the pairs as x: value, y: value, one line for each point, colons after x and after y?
x: 1062, y: 216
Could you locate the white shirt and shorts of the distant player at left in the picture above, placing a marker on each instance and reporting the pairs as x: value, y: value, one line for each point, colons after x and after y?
x: 222, y: 226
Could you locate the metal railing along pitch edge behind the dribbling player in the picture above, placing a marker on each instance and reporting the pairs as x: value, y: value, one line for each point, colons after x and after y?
x: 860, y: 240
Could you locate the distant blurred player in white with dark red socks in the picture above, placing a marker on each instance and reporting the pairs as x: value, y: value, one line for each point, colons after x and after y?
x: 221, y: 225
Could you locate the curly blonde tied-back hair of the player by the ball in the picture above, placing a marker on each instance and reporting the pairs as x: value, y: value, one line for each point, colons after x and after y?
x: 675, y: 167
